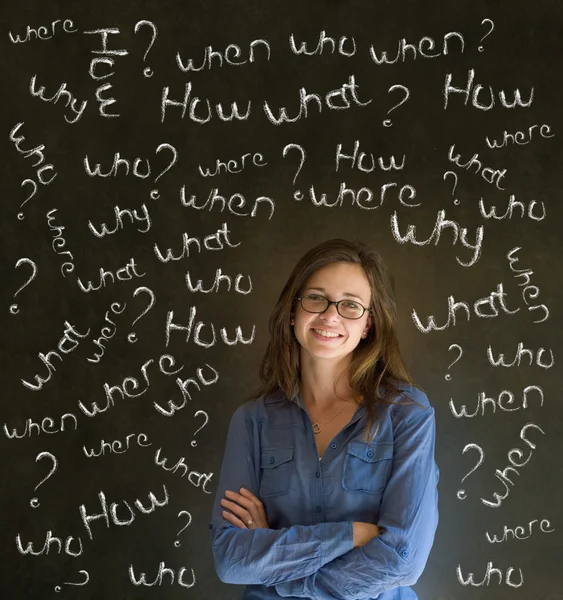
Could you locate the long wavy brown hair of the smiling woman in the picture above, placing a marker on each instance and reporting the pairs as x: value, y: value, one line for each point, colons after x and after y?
x: 376, y: 365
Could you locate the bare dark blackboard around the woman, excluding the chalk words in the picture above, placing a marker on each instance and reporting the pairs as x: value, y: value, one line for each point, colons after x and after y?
x: 523, y: 51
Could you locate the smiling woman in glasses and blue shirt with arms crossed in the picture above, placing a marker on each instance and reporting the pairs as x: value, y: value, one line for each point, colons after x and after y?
x: 328, y: 487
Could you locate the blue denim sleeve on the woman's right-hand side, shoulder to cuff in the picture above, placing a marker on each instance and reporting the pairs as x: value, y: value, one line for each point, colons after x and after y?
x: 408, y: 521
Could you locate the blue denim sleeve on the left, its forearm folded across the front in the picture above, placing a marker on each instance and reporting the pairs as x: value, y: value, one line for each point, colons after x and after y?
x: 265, y: 556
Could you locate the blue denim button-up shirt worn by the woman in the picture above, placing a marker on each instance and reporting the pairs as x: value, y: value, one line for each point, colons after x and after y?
x: 310, y: 504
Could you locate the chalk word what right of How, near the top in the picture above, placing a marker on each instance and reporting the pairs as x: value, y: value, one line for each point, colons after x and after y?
x: 336, y: 99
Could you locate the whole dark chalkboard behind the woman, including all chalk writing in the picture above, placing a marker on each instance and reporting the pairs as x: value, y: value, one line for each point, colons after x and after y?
x: 166, y: 165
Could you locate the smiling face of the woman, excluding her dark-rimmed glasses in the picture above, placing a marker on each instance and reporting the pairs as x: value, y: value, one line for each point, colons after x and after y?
x: 337, y: 281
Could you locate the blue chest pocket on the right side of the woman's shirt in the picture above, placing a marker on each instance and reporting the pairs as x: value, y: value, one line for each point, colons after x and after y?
x: 367, y: 467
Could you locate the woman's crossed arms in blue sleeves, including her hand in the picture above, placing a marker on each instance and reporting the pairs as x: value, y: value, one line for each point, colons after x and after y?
x: 332, y: 560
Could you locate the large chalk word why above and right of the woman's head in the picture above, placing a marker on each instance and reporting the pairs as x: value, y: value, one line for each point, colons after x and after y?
x: 441, y: 223
